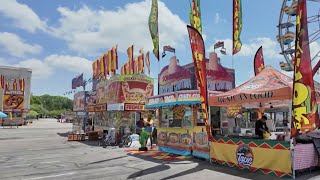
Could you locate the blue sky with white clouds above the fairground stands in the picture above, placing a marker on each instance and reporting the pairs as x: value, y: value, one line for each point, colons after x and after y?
x: 60, y: 39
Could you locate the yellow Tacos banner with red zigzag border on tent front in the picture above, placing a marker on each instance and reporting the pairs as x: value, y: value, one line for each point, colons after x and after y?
x: 269, y: 157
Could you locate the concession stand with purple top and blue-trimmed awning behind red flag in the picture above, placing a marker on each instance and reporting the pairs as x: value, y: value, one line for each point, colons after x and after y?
x: 181, y: 129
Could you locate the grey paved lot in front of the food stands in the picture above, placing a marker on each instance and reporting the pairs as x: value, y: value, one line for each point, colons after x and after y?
x: 41, y: 151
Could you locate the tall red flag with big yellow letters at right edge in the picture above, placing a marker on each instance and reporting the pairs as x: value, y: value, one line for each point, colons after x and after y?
x: 304, y: 107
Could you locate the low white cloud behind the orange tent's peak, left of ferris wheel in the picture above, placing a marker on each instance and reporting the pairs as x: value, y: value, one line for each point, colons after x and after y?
x: 270, y: 48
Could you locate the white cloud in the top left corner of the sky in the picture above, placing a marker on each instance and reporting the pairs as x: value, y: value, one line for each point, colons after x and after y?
x: 22, y: 15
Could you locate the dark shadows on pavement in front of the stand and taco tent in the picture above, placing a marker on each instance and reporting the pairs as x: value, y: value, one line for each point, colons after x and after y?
x: 206, y: 165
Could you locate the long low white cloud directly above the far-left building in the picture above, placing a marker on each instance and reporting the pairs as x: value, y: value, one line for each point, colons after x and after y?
x: 43, y: 69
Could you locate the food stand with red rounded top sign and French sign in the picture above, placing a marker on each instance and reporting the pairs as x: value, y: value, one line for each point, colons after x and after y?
x: 123, y: 97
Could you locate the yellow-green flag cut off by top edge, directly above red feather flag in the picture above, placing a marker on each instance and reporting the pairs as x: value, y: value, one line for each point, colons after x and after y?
x: 195, y: 15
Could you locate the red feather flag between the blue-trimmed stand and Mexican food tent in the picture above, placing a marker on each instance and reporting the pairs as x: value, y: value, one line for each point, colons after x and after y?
x: 199, y: 60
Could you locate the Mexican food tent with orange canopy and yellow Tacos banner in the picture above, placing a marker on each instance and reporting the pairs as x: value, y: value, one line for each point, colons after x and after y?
x: 270, y: 92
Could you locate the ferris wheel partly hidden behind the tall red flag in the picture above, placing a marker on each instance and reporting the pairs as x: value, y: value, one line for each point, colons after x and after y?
x: 287, y: 29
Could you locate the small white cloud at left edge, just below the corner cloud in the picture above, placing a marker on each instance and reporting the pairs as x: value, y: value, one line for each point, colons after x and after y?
x: 15, y: 46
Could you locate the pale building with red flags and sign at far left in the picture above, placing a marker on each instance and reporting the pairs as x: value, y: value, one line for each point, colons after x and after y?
x: 15, y: 89
